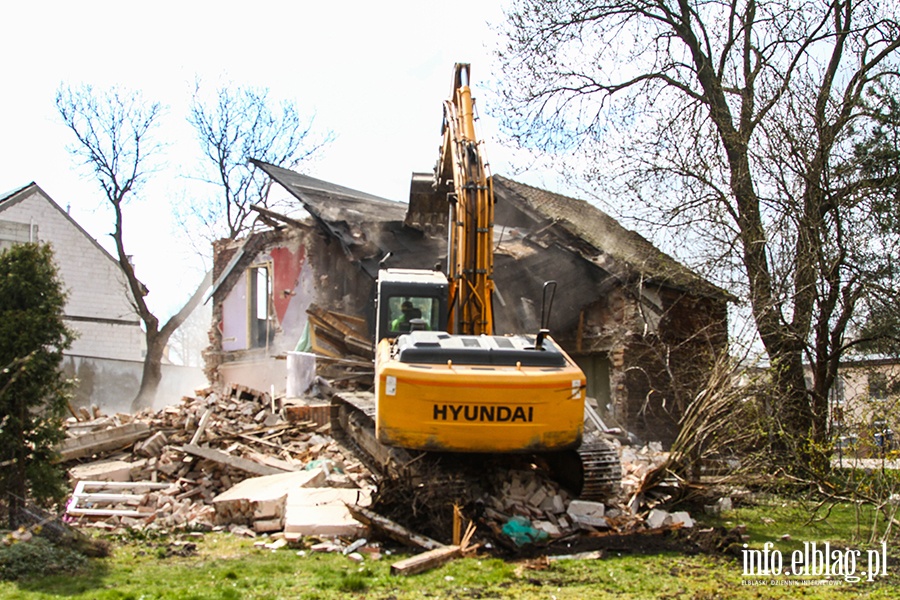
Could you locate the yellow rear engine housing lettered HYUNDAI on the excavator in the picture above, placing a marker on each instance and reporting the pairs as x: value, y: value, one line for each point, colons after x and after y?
x: 464, y: 393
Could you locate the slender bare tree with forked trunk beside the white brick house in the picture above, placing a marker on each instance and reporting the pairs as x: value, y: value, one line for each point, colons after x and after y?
x: 114, y: 132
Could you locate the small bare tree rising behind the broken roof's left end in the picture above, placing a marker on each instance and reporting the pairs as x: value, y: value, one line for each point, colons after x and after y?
x: 240, y: 124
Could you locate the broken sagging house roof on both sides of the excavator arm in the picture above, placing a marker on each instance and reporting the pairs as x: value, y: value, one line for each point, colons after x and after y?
x: 553, y: 227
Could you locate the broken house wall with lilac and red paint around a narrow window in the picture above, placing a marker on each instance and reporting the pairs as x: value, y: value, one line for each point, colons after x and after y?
x: 253, y: 333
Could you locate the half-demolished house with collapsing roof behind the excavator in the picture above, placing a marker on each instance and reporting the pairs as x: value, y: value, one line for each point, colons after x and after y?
x: 644, y: 328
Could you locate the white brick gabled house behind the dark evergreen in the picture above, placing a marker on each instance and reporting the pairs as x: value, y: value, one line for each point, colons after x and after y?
x: 107, y: 355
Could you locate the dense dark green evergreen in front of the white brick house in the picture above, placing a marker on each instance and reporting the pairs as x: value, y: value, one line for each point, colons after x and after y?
x: 33, y: 390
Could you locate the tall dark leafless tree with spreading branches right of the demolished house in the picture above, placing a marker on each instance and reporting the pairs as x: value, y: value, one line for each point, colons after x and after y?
x: 734, y: 122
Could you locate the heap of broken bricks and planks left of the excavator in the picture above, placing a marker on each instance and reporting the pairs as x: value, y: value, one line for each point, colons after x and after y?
x: 170, y: 467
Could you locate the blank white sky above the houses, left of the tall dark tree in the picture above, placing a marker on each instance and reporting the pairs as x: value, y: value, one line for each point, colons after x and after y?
x: 373, y: 73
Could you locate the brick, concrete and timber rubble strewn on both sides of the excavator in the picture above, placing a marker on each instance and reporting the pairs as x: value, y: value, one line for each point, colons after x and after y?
x: 254, y: 465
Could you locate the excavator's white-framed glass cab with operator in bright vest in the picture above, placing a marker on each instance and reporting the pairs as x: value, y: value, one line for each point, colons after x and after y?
x: 411, y: 300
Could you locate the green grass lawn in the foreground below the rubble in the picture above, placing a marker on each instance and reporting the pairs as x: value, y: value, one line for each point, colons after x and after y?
x: 224, y: 567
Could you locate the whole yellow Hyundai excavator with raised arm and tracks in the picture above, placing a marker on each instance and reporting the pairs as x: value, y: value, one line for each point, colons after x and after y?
x: 444, y: 382
